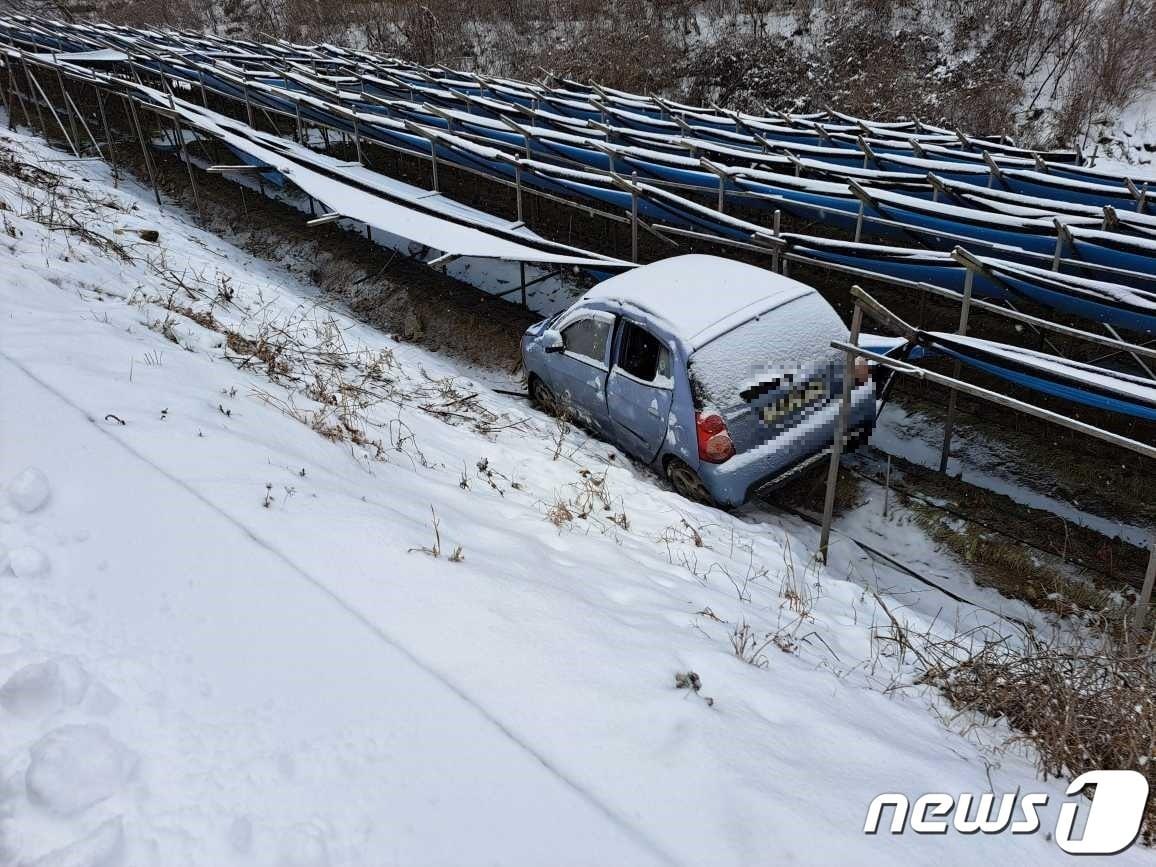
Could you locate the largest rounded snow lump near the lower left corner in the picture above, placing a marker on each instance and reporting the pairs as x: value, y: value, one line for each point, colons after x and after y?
x: 78, y: 766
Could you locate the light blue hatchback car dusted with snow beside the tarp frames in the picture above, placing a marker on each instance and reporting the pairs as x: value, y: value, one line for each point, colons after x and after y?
x: 718, y: 374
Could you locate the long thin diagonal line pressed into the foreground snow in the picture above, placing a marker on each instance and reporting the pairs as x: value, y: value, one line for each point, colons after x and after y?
x: 633, y: 833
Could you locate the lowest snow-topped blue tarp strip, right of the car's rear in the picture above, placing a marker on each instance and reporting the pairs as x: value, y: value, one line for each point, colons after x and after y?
x: 1080, y: 383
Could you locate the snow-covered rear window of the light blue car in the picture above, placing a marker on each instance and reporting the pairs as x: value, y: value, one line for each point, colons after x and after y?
x: 790, y: 340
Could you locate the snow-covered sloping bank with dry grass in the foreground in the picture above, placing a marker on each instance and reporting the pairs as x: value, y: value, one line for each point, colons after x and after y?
x: 278, y: 589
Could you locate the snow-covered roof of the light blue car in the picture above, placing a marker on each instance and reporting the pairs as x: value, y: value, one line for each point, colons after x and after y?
x: 701, y: 298
